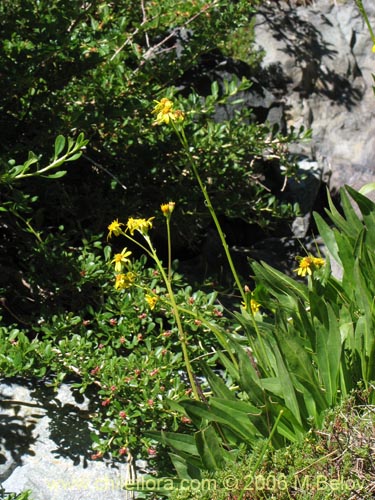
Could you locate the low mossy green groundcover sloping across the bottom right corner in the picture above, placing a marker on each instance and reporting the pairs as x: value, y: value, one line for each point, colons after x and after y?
x: 332, y: 462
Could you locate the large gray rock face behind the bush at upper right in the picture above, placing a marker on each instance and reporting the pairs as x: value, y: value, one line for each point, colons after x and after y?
x: 321, y: 55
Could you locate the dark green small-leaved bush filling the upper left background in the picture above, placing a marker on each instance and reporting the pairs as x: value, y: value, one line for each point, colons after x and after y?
x: 96, y: 68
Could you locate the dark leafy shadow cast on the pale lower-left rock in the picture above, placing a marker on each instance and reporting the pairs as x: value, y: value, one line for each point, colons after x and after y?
x: 68, y: 426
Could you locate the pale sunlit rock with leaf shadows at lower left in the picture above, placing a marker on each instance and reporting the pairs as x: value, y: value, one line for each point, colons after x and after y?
x: 45, y: 445
